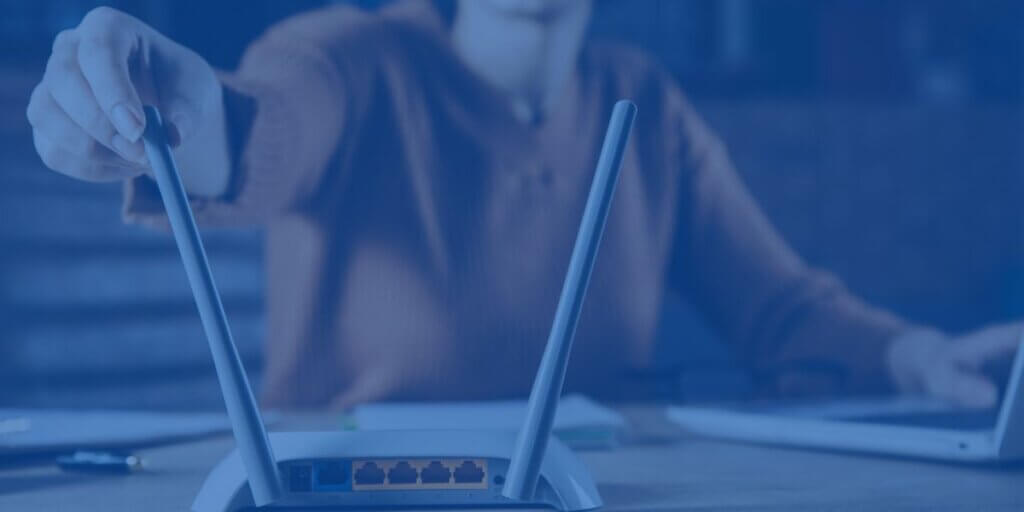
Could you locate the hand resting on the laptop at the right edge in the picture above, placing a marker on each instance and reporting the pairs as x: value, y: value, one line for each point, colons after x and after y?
x: 927, y: 362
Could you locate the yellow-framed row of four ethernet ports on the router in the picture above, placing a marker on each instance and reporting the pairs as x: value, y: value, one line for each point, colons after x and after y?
x: 410, y: 475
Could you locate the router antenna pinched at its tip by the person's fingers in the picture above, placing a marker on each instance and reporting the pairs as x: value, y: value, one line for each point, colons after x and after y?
x: 250, y: 435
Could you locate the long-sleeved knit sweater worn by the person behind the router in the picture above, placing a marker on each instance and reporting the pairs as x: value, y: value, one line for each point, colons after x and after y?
x: 418, y: 232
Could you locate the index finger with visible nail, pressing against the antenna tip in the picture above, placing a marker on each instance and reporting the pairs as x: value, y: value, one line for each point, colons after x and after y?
x: 108, y: 41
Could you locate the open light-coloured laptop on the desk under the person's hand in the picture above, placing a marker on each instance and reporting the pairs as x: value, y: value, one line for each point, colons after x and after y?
x: 901, y: 426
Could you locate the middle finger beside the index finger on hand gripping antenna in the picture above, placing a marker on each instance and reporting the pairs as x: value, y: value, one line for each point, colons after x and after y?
x: 65, y: 82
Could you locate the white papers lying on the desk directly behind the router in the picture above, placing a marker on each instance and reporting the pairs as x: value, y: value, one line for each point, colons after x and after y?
x: 580, y: 422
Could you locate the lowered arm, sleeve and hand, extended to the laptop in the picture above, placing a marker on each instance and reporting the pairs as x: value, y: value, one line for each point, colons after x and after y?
x: 800, y: 329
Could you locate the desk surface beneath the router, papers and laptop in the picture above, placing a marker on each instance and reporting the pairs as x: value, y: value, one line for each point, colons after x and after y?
x: 663, y: 470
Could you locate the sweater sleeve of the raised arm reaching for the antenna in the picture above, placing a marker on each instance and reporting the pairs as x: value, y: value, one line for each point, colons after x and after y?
x: 292, y: 109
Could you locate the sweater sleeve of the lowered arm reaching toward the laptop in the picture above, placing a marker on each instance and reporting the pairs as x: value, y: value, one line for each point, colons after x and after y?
x: 799, y: 329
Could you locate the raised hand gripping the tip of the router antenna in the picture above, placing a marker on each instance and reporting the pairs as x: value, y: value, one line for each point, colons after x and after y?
x: 87, y: 113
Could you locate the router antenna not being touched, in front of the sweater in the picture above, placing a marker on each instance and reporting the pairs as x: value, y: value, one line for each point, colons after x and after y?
x: 521, y: 483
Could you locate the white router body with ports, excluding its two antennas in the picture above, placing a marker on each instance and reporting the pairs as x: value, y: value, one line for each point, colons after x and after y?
x: 392, y: 470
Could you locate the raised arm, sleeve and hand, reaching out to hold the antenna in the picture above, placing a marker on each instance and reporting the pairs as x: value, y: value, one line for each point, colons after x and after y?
x: 251, y: 145
